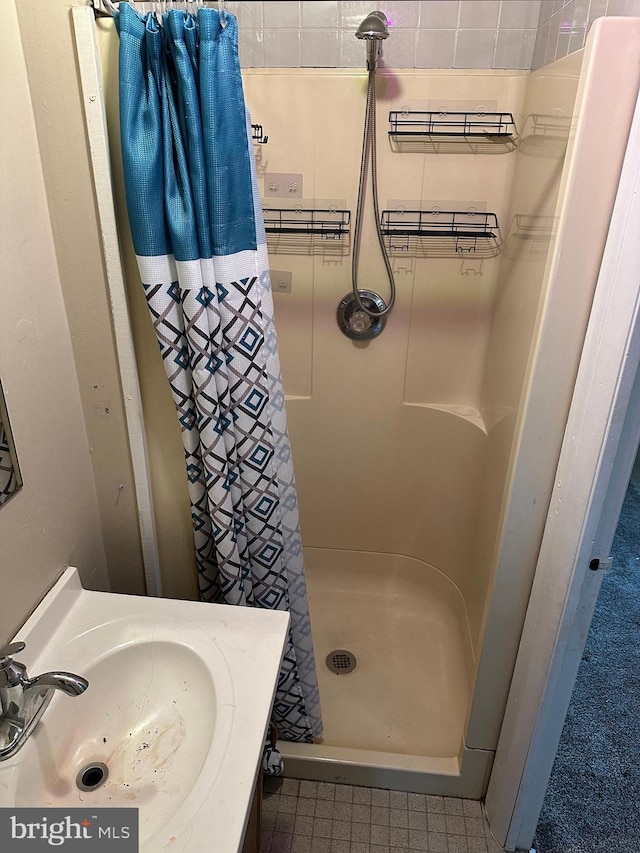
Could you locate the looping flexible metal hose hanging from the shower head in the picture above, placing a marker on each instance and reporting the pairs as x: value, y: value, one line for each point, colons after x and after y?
x: 369, y: 145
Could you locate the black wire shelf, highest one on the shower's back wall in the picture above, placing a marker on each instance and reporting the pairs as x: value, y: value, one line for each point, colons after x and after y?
x: 443, y: 131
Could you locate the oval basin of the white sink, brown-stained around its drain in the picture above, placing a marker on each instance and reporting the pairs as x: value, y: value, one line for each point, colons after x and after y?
x: 149, y: 718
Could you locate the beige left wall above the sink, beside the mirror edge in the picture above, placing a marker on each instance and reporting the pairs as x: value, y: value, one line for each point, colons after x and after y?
x: 54, y: 520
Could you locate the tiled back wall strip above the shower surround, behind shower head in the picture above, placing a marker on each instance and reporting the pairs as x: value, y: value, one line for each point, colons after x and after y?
x: 426, y: 34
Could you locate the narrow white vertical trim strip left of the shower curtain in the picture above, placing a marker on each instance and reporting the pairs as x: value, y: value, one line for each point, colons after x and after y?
x: 91, y: 86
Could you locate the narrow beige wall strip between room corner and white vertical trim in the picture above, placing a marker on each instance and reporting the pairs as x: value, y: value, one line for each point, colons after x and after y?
x: 49, y: 50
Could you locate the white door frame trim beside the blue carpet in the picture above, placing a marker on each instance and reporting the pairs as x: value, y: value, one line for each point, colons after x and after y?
x: 595, y: 463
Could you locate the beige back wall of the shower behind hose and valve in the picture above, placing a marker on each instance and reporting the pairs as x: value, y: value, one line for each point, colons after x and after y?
x: 388, y: 438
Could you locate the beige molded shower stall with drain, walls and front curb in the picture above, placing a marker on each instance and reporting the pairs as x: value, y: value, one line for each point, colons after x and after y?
x: 424, y: 457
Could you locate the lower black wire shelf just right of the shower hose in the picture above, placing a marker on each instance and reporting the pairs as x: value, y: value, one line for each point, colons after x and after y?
x: 442, y: 233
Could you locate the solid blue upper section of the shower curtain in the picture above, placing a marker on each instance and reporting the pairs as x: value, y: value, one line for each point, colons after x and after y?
x: 190, y: 167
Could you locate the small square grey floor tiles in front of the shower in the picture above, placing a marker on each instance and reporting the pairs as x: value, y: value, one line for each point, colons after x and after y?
x: 318, y: 817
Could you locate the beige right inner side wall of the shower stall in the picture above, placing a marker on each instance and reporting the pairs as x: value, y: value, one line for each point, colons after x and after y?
x: 530, y: 228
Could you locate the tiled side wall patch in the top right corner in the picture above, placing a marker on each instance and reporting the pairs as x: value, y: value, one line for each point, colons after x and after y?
x: 564, y: 24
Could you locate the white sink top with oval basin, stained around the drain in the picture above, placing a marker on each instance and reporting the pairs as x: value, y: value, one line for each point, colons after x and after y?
x: 177, y: 707
